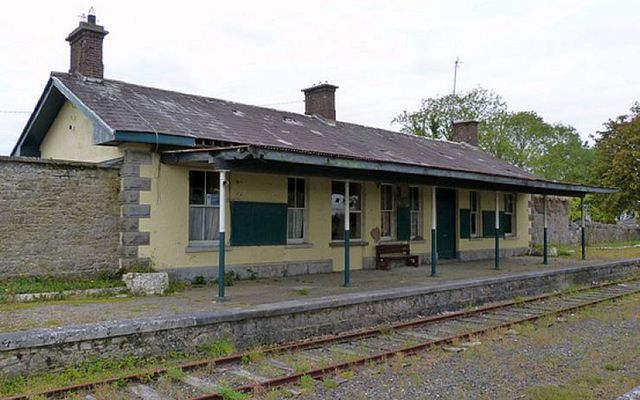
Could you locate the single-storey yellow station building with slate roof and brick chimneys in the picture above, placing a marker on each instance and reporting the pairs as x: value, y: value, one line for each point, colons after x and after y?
x: 209, y: 185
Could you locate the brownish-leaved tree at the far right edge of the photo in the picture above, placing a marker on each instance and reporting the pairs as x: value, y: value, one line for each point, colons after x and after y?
x: 617, y: 164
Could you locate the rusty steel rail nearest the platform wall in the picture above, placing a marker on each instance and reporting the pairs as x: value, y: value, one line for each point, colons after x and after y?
x: 310, y: 343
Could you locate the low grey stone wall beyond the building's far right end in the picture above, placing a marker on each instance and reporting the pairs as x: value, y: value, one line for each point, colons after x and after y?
x: 562, y: 230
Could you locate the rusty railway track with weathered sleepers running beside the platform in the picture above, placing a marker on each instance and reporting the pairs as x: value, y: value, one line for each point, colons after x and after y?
x: 320, y: 357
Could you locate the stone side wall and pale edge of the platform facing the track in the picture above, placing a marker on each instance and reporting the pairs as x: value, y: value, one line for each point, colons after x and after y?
x: 43, y: 349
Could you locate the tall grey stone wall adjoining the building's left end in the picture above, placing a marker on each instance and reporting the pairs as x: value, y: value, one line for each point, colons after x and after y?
x: 58, y: 218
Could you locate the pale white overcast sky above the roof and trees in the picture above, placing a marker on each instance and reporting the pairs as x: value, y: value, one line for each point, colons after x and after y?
x: 572, y: 61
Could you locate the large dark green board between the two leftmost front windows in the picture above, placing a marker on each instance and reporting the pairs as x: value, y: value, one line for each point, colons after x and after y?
x: 258, y: 224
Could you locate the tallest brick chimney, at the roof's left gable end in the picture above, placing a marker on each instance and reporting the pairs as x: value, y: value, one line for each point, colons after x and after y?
x: 86, y: 48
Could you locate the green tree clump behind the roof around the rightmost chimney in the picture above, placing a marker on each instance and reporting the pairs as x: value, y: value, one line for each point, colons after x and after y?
x: 554, y: 151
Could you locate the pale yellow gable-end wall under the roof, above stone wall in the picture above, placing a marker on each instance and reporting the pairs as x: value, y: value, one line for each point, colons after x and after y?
x: 70, y: 137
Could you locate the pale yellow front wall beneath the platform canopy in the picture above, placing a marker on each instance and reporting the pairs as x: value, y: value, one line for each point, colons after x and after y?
x: 170, y: 210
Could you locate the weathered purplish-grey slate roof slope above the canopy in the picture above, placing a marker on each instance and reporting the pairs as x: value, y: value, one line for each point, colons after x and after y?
x: 128, y: 107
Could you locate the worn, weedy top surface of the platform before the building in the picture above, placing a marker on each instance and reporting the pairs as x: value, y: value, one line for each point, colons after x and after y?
x: 264, y: 291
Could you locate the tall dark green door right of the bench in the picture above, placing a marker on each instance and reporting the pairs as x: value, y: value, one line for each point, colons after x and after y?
x: 446, y: 223
